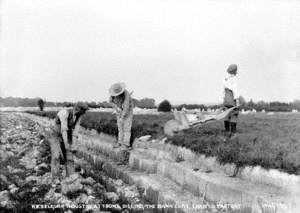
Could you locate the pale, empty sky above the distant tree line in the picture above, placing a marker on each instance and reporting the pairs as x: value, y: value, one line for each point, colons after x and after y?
x: 73, y: 50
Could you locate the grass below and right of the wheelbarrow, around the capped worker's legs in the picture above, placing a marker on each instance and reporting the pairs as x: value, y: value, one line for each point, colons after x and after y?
x: 262, y: 140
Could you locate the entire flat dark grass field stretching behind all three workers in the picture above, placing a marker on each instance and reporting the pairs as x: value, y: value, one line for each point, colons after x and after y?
x: 271, y: 141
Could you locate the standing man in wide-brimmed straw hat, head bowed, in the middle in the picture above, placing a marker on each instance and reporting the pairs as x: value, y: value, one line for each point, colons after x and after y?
x: 122, y: 102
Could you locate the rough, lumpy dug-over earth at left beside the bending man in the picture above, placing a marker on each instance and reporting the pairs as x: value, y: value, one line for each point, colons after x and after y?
x: 25, y: 178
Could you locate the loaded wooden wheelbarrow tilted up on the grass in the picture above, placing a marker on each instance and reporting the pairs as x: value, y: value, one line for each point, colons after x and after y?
x: 181, y: 121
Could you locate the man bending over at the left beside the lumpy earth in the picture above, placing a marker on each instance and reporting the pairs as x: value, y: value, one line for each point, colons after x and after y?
x: 65, y: 122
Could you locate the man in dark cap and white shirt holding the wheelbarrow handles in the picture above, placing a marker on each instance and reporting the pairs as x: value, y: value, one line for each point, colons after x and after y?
x: 231, y: 98
